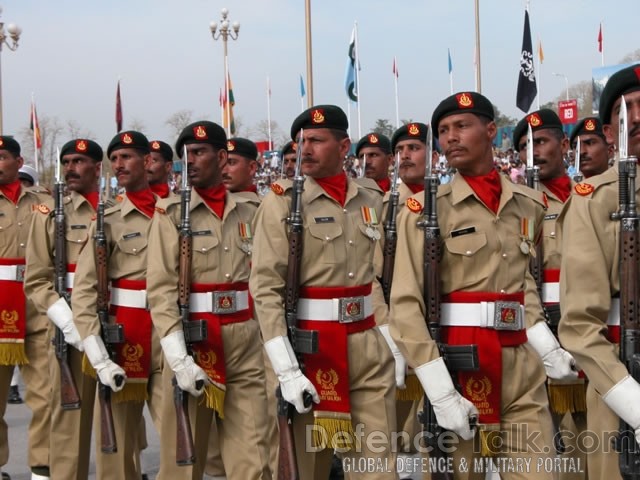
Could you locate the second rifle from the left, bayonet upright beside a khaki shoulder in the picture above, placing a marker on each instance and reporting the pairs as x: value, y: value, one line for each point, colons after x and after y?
x: 112, y: 334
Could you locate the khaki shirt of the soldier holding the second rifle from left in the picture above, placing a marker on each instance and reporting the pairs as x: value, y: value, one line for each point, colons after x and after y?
x: 127, y: 232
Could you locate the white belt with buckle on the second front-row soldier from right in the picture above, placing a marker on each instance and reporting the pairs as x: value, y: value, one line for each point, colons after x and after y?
x: 483, y: 314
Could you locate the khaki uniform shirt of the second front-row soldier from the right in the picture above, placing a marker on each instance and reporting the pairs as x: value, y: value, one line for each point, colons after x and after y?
x: 486, y: 258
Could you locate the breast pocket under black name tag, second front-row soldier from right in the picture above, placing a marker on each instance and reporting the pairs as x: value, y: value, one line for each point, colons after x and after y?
x: 464, y: 262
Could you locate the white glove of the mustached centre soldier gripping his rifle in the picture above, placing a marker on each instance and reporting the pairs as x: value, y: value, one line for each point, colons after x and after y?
x: 293, y: 383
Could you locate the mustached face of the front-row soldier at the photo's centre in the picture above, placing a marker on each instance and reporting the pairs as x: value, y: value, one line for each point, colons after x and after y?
x: 323, y: 153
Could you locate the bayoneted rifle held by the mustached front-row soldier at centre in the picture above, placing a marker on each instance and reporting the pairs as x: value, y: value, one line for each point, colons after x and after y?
x: 302, y: 341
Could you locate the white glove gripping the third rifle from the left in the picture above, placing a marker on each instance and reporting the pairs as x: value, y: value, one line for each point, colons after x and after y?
x: 188, y: 373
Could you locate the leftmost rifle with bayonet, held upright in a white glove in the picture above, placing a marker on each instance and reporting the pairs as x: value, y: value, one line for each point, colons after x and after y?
x: 69, y: 396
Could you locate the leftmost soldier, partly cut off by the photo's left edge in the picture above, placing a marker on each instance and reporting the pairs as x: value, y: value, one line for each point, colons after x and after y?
x: 23, y: 332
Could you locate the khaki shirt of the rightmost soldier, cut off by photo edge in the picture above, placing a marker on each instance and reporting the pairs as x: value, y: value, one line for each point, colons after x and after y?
x: 590, y: 277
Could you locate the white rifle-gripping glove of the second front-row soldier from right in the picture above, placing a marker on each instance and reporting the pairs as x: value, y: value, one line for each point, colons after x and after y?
x: 452, y: 409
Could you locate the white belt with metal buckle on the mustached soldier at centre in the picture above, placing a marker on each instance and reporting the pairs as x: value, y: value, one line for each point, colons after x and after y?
x: 344, y: 309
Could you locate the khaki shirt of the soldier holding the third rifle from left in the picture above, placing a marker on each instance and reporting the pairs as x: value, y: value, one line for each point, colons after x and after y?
x: 220, y: 255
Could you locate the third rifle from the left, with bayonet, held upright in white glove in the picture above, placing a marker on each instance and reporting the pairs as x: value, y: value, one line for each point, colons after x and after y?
x: 194, y: 331
